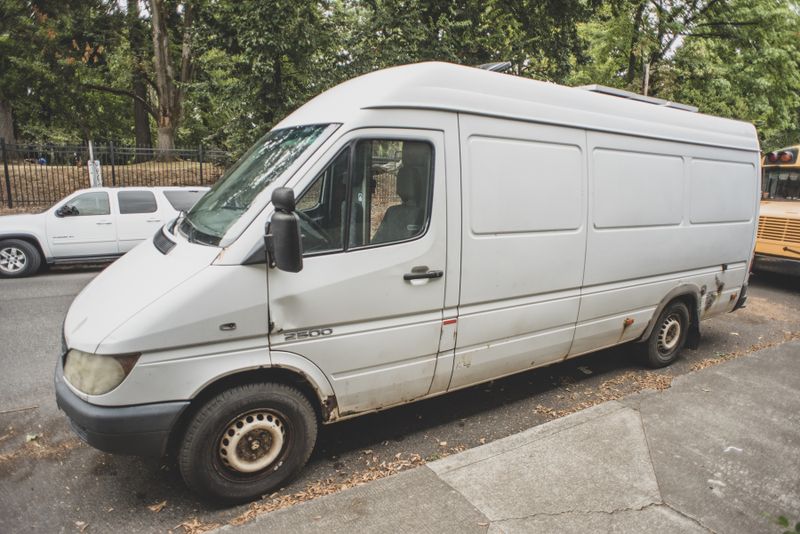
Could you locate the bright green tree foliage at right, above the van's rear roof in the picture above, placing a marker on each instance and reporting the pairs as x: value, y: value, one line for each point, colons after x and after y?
x: 736, y: 58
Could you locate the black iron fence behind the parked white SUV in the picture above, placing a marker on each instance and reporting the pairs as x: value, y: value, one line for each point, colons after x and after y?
x: 42, y: 174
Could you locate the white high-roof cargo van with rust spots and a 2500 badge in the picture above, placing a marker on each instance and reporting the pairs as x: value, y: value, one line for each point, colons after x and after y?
x: 430, y: 227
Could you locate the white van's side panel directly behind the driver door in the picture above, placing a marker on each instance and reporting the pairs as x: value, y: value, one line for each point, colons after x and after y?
x: 524, y: 231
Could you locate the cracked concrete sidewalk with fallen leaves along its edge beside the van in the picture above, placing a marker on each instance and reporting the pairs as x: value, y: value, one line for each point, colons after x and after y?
x: 719, y: 451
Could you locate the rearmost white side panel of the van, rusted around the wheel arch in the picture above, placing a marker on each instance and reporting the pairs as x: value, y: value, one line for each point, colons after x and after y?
x: 662, y: 215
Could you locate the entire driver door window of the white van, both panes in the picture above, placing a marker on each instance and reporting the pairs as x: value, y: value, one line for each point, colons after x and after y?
x: 382, y: 198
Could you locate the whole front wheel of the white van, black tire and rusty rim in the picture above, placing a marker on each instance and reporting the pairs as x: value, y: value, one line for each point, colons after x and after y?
x: 208, y: 459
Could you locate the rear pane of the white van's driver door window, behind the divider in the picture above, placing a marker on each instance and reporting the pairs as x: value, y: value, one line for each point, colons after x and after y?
x: 390, y: 189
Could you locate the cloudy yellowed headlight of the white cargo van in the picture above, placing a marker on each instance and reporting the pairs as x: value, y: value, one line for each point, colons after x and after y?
x: 95, y: 374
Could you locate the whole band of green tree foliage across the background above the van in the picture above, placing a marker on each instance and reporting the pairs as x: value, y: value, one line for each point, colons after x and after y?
x: 67, y: 68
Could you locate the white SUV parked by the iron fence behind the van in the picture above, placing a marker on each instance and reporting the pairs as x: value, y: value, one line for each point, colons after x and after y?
x: 90, y: 225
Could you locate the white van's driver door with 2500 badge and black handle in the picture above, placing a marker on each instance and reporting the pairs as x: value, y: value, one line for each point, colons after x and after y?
x: 367, y: 306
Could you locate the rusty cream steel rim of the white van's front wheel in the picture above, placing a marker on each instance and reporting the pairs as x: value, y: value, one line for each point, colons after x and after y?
x: 252, y: 441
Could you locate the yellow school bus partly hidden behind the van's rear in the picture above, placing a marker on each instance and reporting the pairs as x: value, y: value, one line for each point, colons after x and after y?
x: 778, y: 243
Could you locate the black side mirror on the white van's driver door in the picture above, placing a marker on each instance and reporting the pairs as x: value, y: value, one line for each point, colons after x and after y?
x: 283, y: 237
